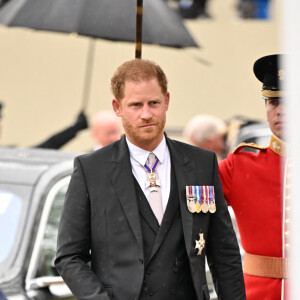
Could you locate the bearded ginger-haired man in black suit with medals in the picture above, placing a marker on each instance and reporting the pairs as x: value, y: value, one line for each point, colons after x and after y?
x: 146, y: 210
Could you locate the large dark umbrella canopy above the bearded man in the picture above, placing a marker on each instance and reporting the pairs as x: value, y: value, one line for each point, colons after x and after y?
x: 106, y: 19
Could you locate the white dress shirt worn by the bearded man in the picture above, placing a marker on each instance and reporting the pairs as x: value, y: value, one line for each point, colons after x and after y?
x: 138, y: 158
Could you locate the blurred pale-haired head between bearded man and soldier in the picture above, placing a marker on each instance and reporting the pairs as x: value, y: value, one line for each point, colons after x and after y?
x: 207, y: 132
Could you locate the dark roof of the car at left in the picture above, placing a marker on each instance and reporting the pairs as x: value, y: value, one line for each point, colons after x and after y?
x: 25, y: 166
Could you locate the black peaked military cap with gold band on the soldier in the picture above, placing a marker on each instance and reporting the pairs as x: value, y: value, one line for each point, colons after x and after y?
x: 270, y: 72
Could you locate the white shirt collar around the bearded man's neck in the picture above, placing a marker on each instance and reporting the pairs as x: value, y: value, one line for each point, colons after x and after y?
x: 141, y: 155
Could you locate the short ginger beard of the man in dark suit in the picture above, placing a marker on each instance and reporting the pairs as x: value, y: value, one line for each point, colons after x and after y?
x: 143, y: 136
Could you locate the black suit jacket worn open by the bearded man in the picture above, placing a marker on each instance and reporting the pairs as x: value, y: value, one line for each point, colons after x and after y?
x: 100, y: 224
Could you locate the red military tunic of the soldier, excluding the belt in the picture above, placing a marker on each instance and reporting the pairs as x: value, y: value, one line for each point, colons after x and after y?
x: 252, y: 184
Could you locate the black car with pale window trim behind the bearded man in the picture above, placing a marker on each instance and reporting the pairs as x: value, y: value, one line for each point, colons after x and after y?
x: 33, y: 183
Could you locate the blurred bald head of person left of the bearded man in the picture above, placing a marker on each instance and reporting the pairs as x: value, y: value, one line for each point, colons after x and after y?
x: 105, y: 128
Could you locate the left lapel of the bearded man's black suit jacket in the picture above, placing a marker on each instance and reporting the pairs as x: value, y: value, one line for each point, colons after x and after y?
x: 122, y: 180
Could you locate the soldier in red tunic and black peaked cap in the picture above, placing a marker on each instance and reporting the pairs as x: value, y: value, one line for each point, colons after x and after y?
x: 254, y: 185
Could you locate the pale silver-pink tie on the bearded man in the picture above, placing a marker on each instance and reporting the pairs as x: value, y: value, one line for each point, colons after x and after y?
x: 155, y: 199
